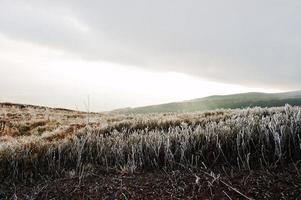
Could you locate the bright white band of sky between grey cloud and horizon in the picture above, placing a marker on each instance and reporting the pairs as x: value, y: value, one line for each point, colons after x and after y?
x: 35, y: 74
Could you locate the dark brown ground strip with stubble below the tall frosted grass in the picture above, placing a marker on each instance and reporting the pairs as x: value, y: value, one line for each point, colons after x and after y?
x: 282, y: 183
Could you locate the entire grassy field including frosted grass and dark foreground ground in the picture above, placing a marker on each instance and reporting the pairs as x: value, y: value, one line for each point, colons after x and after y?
x: 238, y: 153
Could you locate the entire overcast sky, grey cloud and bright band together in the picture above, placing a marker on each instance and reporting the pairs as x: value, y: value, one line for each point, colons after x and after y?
x: 118, y: 53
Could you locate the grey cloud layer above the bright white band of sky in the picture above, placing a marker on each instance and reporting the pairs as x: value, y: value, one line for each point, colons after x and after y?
x: 244, y: 42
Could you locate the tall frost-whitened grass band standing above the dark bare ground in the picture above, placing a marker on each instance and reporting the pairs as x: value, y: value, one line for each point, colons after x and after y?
x: 242, y: 139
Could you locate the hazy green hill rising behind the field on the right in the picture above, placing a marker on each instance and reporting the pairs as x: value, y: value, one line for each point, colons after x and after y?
x: 242, y: 100
